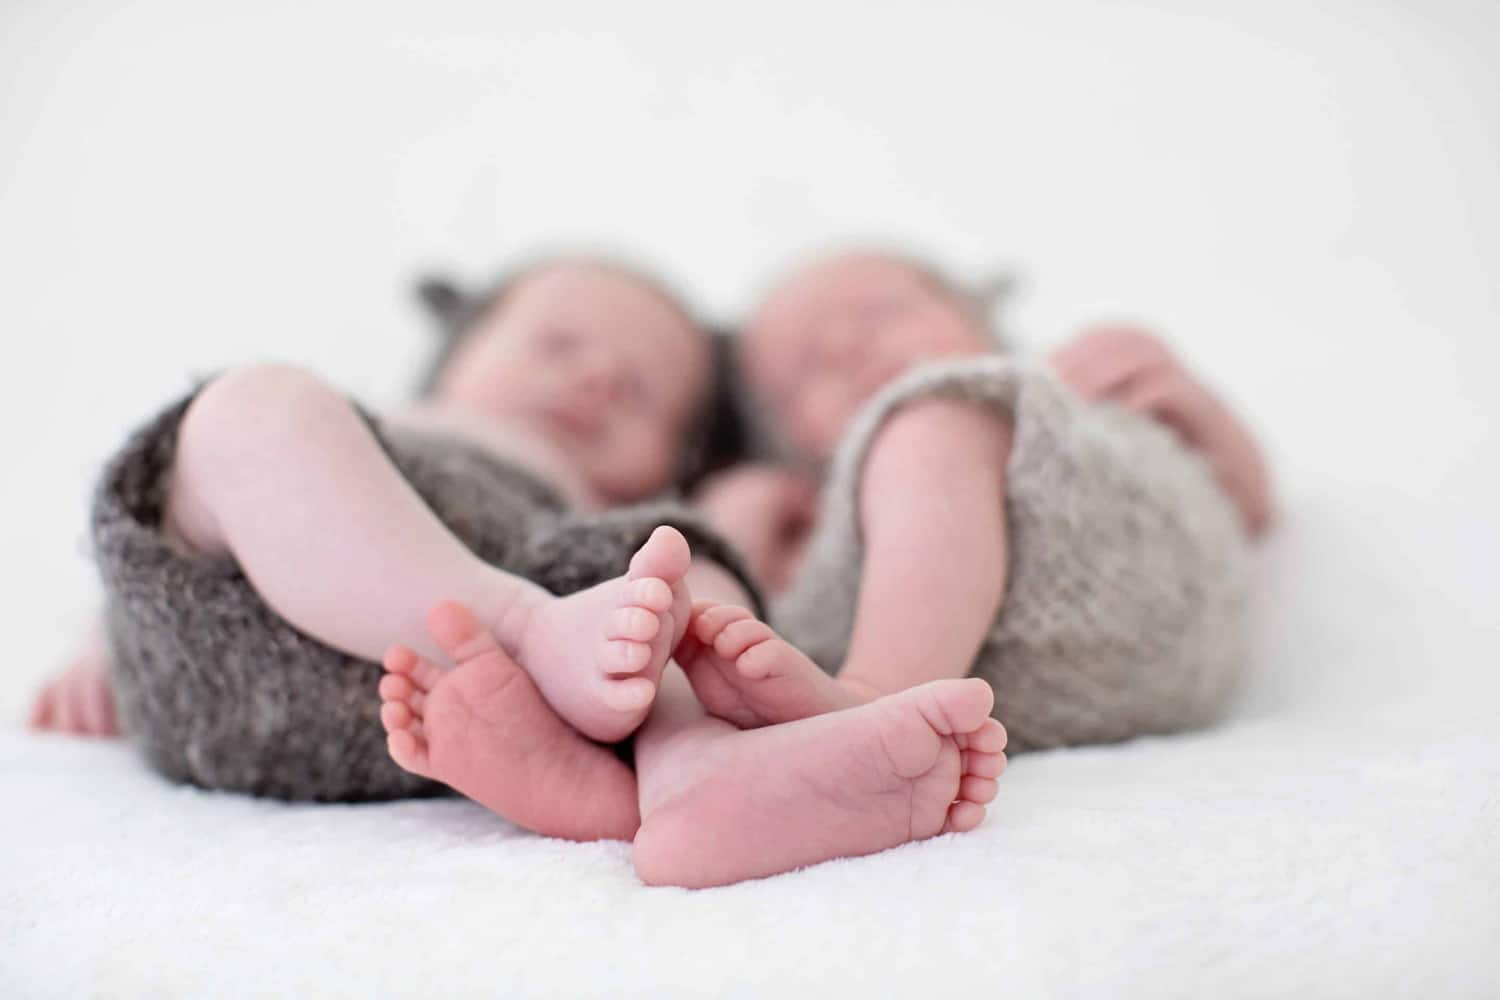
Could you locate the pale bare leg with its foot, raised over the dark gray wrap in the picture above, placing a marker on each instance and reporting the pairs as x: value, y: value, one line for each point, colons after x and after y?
x: 281, y: 472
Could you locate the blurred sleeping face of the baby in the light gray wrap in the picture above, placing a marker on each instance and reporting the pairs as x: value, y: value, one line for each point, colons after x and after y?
x: 829, y: 338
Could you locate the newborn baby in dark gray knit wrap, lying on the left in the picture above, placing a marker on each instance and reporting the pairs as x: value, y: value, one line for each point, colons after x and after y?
x: 268, y: 510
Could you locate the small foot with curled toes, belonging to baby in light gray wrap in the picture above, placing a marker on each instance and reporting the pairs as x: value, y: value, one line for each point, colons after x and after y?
x: 743, y: 672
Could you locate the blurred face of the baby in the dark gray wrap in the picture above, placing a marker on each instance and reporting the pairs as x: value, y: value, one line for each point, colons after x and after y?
x: 599, y: 364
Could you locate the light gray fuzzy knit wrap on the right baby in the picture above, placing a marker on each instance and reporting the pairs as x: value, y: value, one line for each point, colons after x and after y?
x: 1124, y: 608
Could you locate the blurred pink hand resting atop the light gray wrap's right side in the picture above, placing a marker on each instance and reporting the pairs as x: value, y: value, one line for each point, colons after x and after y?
x: 1133, y: 370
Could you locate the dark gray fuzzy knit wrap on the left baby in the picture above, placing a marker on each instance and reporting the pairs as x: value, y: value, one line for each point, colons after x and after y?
x: 221, y: 692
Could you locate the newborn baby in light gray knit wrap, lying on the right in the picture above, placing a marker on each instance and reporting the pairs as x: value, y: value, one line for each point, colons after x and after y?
x: 1072, y: 536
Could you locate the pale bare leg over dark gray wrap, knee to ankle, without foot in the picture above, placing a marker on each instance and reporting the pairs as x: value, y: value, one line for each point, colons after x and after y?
x: 278, y: 470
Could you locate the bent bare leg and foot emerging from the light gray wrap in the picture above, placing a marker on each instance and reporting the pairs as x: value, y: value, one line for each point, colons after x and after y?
x: 934, y: 521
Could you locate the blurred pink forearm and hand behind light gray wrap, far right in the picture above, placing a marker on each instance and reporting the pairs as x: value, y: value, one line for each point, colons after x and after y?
x: 1135, y: 370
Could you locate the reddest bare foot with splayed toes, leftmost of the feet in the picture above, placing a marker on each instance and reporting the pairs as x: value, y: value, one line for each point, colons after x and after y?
x: 484, y: 729
